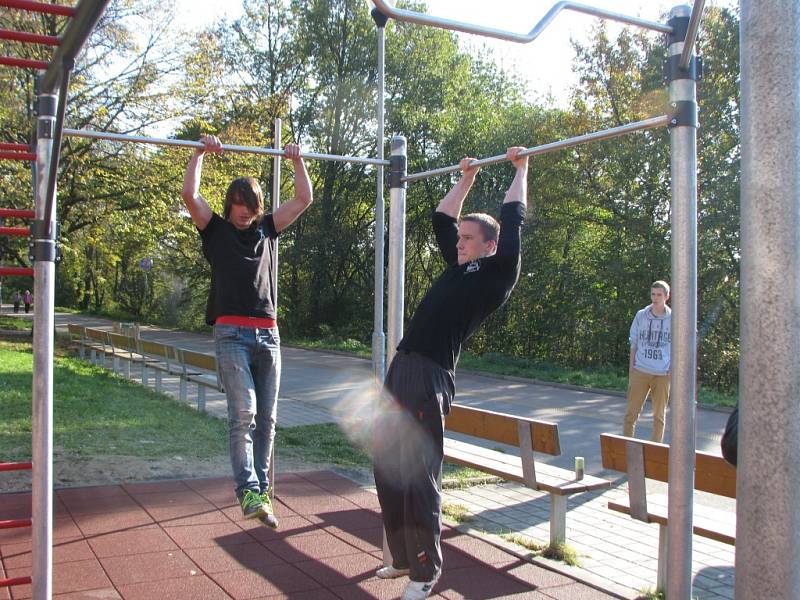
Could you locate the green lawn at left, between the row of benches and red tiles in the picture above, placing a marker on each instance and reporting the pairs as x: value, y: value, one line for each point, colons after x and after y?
x: 97, y: 413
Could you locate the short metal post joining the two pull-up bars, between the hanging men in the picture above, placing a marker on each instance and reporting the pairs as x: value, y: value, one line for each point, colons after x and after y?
x: 397, y: 245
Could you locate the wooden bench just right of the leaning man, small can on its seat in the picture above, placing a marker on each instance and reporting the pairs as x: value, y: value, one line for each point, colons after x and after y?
x: 529, y: 436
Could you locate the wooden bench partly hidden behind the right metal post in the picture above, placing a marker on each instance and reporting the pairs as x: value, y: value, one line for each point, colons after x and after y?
x: 643, y: 460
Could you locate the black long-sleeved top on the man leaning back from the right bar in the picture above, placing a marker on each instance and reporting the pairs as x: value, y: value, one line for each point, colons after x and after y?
x: 464, y: 295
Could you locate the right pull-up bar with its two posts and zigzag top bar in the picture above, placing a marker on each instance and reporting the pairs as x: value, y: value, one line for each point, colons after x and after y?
x: 683, y: 71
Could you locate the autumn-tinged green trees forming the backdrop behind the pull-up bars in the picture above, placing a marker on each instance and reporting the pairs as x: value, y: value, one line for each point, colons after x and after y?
x: 598, y: 229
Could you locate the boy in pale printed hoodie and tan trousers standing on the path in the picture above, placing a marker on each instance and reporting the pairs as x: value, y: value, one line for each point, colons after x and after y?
x: 651, y: 342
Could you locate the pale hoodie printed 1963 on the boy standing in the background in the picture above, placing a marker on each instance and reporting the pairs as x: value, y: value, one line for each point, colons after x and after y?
x: 651, y: 335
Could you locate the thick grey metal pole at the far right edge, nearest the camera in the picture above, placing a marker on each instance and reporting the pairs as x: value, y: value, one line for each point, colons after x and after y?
x: 768, y: 478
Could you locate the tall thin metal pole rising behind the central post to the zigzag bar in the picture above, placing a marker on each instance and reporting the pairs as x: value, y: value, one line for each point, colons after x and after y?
x: 378, y: 337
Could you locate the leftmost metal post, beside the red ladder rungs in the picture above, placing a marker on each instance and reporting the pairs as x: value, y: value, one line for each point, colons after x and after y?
x: 43, y: 251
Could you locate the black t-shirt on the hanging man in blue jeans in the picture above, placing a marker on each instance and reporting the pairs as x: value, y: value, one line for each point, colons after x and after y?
x: 241, y: 268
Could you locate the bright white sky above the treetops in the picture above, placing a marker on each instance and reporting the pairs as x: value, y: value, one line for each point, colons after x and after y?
x: 544, y: 63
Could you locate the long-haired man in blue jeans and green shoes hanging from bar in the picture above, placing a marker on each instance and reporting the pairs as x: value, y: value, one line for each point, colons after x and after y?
x: 240, y: 246
